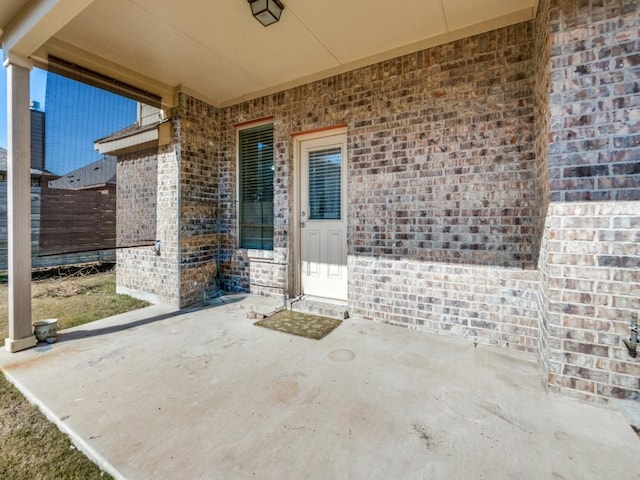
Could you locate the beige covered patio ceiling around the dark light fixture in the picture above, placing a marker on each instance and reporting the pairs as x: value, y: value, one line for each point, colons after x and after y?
x: 215, y: 50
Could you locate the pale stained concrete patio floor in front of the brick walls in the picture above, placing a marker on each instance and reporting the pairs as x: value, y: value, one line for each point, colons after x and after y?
x: 204, y: 394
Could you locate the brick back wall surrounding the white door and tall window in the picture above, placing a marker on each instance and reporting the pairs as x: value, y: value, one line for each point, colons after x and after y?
x: 441, y: 187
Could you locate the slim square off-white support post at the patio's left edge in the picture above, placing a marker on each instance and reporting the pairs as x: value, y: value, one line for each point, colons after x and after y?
x: 19, y: 204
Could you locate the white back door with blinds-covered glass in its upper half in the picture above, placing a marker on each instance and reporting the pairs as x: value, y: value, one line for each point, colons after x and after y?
x: 323, y: 219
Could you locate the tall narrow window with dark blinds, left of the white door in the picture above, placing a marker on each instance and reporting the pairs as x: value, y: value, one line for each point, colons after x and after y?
x: 256, y: 187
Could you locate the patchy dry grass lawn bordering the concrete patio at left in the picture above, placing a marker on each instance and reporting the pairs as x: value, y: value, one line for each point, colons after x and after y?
x: 32, y: 448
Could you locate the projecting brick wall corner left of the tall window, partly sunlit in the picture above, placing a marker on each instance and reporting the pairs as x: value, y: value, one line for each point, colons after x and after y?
x: 184, y: 175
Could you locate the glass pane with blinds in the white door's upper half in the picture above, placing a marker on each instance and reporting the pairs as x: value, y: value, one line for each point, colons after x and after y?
x: 325, y: 184
